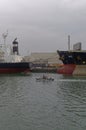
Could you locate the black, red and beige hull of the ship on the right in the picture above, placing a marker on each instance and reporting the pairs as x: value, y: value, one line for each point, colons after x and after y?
x: 74, y: 63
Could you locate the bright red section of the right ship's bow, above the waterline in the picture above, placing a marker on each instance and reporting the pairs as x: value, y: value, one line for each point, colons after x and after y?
x: 66, y: 69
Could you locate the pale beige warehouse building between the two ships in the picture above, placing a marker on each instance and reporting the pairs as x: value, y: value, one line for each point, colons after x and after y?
x: 44, y: 59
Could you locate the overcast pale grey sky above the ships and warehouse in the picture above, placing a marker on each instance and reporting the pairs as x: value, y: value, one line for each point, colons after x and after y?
x: 43, y: 25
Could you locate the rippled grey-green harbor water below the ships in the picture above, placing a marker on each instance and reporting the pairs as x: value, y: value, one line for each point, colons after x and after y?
x: 27, y: 104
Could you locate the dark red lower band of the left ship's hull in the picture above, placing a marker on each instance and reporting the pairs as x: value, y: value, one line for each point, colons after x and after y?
x: 13, y: 70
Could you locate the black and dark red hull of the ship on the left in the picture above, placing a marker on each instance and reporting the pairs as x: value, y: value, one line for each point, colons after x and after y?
x: 14, y: 68
